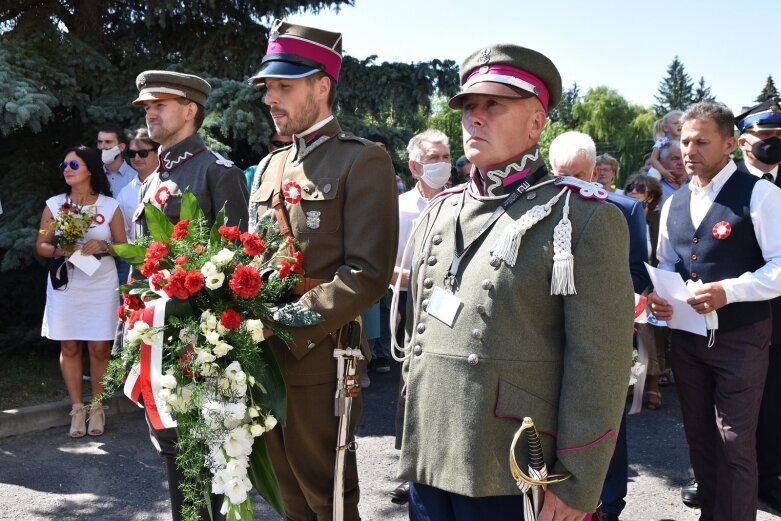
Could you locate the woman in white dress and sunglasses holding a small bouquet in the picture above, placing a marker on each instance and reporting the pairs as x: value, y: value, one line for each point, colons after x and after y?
x: 84, y: 309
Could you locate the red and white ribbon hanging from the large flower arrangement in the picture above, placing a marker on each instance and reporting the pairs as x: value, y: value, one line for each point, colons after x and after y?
x: 143, y: 381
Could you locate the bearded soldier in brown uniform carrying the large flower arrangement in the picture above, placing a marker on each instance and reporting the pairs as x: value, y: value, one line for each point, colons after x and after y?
x: 346, y: 222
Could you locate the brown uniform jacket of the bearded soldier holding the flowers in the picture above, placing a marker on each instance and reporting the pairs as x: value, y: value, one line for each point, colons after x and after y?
x: 347, y: 227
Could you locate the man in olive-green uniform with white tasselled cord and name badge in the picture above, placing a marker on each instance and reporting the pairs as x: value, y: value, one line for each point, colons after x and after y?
x: 508, y: 273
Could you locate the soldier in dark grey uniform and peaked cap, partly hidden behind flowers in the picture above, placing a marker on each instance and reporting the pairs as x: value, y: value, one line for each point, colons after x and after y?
x: 175, y: 105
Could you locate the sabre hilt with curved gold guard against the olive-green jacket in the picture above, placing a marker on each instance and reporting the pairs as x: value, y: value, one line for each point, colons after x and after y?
x: 532, y: 485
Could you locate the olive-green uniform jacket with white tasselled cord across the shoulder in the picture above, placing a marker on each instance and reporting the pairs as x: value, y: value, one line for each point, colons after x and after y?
x: 514, y: 350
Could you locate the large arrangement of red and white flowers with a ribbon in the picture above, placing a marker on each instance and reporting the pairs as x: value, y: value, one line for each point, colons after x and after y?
x: 194, y: 340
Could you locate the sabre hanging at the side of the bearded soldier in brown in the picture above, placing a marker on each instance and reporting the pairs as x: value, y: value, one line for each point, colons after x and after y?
x: 347, y: 388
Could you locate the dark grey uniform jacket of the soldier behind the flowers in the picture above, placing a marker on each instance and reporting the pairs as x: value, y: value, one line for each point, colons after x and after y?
x: 214, y: 180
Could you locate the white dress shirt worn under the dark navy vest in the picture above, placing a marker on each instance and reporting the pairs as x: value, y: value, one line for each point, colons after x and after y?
x: 765, y: 211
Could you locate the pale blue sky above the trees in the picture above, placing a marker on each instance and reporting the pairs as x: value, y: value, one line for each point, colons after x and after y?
x: 626, y: 45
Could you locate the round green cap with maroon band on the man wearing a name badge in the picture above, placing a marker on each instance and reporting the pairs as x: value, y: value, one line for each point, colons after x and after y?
x: 509, y: 71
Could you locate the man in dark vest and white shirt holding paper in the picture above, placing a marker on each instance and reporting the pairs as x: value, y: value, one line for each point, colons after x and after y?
x: 721, y: 233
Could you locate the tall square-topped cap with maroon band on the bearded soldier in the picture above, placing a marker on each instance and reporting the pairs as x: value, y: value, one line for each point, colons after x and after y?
x: 296, y: 51
